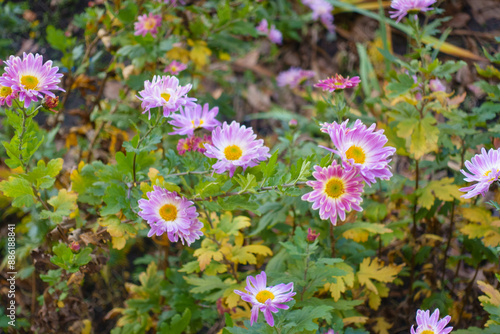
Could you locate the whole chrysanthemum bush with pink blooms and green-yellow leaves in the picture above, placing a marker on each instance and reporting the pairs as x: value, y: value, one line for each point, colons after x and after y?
x: 326, y: 226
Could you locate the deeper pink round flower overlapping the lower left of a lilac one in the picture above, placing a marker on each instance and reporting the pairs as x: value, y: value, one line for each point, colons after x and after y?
x: 335, y: 191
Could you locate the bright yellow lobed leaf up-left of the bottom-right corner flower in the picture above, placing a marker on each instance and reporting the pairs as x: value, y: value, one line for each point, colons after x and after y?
x: 369, y: 270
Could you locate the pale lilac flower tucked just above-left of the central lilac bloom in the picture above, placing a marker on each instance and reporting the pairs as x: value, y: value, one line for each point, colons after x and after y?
x: 192, y: 118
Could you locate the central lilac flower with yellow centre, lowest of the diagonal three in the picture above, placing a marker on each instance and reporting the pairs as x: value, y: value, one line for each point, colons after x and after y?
x: 235, y: 146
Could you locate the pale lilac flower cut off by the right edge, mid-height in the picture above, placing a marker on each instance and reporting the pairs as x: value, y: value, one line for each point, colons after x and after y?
x: 484, y: 169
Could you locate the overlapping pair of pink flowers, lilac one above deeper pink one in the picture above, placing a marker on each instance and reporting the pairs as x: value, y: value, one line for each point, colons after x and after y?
x: 364, y: 156
